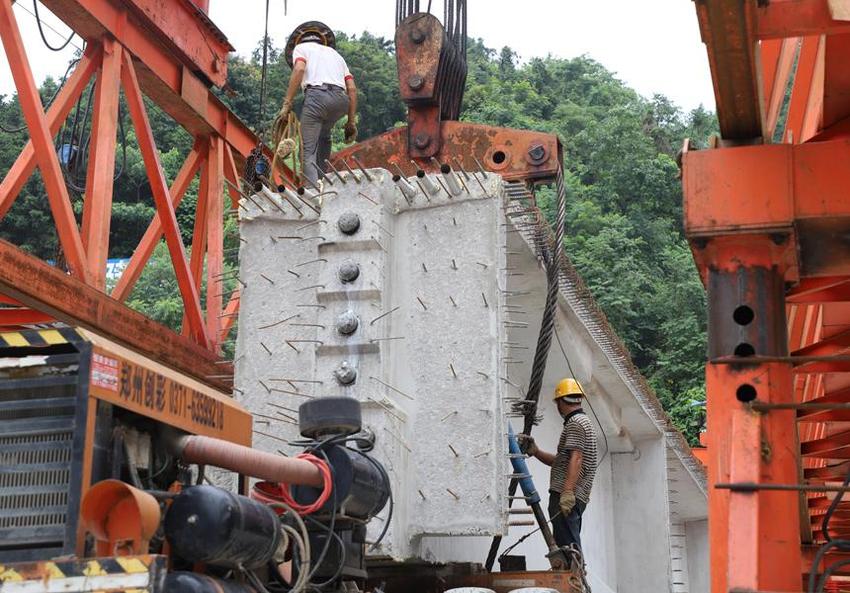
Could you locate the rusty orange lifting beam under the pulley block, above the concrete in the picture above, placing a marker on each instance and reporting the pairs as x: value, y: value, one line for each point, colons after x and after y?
x: 513, y: 154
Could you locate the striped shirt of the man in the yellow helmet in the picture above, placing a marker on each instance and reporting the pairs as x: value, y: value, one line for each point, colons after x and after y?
x: 578, y: 435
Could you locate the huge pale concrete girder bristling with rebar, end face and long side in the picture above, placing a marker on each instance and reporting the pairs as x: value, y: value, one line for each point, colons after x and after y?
x: 447, y: 301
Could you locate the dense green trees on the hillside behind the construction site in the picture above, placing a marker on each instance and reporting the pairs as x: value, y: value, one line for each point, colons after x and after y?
x: 624, y: 217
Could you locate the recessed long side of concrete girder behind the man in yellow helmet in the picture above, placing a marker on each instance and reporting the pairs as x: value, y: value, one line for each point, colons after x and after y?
x: 644, y: 529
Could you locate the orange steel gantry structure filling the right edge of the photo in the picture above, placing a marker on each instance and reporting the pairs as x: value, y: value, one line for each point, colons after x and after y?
x: 767, y: 215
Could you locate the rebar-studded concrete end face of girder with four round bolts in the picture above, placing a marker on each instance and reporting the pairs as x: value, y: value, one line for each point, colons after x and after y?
x: 393, y: 300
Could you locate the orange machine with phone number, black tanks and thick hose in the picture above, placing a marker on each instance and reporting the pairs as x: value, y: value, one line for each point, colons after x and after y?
x: 79, y: 409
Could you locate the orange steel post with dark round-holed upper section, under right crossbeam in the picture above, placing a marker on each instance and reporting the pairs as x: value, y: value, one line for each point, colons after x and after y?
x: 754, y: 534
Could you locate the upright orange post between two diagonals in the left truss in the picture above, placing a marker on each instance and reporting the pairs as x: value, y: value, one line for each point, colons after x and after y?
x: 97, y: 207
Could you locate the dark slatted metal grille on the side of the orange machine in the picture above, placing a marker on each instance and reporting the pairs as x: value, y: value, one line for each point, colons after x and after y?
x: 40, y: 436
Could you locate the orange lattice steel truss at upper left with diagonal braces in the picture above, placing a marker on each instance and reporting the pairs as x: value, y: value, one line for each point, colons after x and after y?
x: 171, y: 57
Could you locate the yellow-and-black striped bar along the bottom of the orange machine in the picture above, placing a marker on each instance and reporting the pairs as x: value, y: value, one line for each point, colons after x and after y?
x: 131, y: 574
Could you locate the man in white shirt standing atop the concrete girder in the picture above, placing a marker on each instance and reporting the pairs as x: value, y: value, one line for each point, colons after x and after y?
x: 329, y: 93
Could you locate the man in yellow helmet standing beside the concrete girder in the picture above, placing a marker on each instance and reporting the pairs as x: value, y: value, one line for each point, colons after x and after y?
x: 573, y: 464
